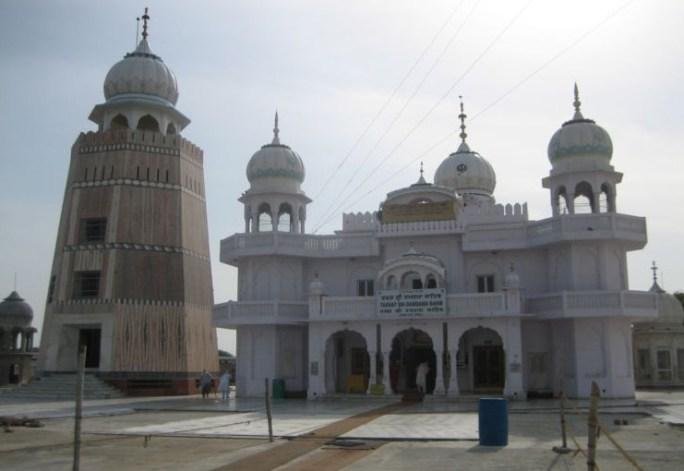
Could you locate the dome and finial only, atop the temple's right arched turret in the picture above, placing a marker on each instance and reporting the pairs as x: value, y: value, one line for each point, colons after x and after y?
x: 580, y: 138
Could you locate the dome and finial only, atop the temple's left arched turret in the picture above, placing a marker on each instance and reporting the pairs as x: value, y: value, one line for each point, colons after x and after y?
x: 276, y: 165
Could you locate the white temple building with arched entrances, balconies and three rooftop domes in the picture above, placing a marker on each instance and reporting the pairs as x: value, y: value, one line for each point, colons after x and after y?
x: 494, y: 302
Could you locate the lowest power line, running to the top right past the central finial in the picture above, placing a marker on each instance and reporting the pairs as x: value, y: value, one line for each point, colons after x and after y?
x: 493, y: 103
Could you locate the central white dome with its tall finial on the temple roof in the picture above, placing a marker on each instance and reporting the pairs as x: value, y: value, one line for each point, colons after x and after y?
x: 467, y: 173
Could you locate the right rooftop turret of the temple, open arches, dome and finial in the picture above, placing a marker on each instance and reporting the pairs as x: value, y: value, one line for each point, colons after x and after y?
x: 580, y: 153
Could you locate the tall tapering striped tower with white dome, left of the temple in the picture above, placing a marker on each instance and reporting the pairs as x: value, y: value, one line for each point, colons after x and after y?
x: 131, y: 277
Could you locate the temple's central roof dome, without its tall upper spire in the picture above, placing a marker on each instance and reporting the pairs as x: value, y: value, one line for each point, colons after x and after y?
x: 466, y: 172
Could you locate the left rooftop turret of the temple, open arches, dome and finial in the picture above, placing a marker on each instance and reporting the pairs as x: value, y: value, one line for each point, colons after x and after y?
x: 275, y: 200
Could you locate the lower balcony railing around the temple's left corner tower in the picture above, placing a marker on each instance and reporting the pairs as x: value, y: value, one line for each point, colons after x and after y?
x: 260, y: 312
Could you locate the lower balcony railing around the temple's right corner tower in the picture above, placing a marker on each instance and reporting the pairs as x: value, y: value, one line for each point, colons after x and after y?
x: 594, y: 304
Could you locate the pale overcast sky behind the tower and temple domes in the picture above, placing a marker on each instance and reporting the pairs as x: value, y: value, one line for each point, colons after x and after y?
x: 329, y: 67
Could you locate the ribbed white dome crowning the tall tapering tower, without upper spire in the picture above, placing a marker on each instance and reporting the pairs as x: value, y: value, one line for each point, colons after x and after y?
x: 141, y: 72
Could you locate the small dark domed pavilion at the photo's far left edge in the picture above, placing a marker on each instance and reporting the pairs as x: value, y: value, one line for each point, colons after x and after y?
x: 16, y: 340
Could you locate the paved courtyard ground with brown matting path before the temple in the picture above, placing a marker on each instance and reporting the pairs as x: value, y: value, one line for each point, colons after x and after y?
x: 196, y: 434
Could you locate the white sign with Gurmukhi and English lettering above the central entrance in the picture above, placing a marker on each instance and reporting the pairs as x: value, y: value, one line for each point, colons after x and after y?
x: 412, y: 302
